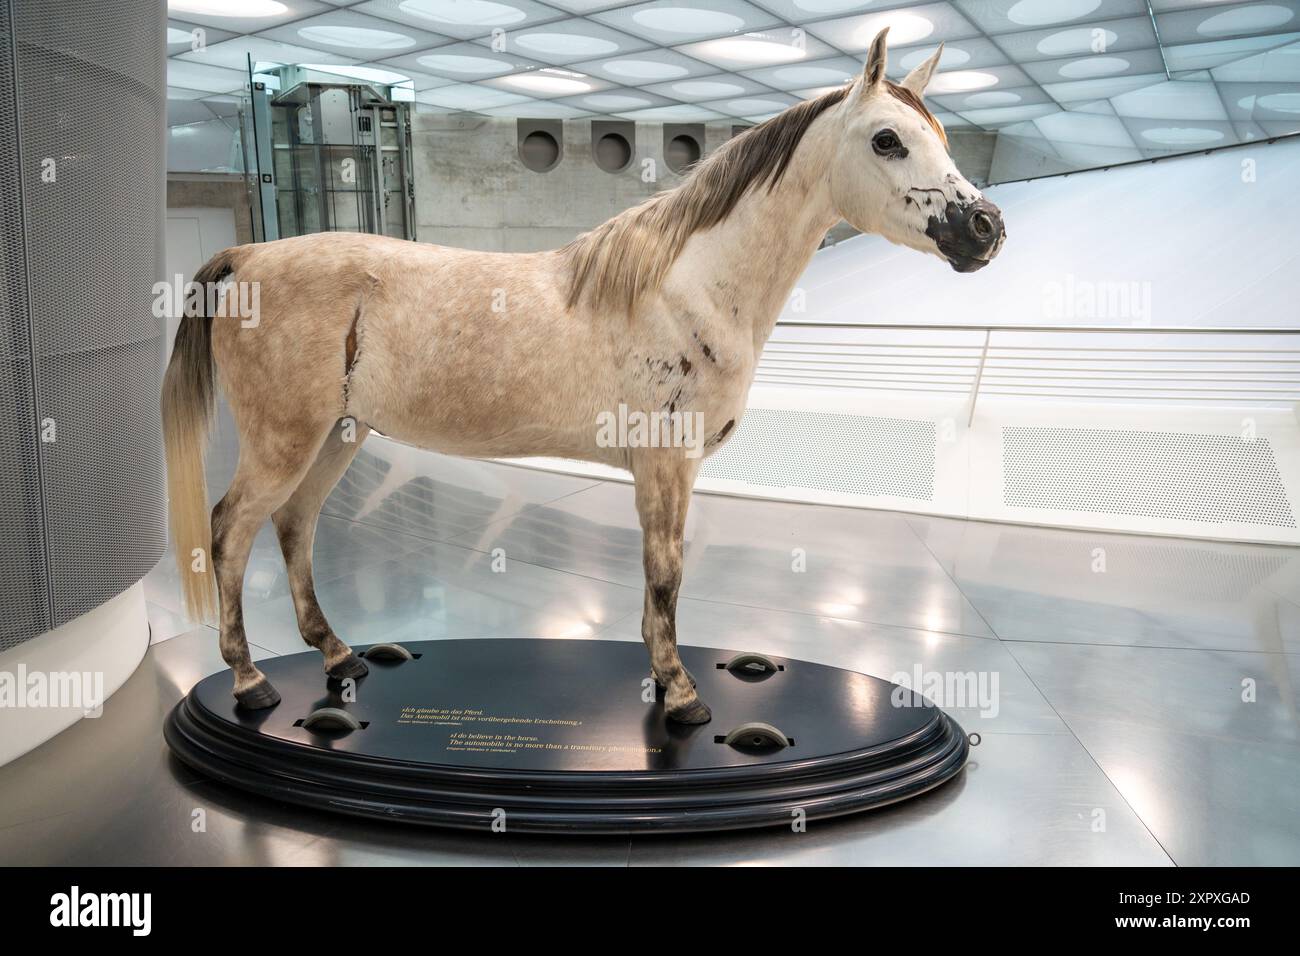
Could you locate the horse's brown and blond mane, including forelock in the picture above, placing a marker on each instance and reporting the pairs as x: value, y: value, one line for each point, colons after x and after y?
x: 629, y: 256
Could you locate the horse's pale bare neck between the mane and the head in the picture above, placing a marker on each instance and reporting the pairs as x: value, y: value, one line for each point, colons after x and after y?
x: 757, y: 254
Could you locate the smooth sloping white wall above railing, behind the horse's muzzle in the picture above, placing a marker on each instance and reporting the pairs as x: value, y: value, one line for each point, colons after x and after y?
x: 1212, y: 246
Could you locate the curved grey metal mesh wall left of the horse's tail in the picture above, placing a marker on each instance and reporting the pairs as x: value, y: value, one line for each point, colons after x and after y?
x: 83, y: 503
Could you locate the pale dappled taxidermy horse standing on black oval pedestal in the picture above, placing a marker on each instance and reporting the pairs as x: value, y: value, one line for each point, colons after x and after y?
x: 664, y: 310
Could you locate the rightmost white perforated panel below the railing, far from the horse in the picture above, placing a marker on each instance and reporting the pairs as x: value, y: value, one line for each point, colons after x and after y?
x: 1212, y: 479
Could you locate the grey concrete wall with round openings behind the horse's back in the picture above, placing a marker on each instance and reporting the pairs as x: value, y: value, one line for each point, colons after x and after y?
x: 473, y: 191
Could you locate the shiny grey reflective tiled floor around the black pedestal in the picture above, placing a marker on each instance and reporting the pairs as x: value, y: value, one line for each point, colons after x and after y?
x: 1141, y: 710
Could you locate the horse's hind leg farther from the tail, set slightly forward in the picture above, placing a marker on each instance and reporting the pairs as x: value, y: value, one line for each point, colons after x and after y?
x: 296, y: 525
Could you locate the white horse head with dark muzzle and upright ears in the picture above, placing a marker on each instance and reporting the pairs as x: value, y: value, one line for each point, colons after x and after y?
x: 892, y: 174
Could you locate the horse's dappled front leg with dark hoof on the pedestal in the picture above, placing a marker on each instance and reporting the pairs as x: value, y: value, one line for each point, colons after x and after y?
x: 665, y: 478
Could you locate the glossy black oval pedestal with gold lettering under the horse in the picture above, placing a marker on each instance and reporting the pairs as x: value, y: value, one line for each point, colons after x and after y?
x: 557, y: 737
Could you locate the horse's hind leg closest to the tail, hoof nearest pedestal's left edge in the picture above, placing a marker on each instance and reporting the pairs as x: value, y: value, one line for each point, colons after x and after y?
x: 272, y: 464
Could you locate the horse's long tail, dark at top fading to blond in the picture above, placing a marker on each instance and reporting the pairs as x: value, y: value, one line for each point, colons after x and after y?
x: 188, y: 405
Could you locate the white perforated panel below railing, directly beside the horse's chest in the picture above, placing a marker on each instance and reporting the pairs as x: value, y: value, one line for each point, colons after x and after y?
x: 855, y: 455
